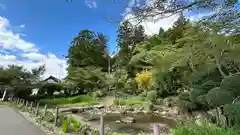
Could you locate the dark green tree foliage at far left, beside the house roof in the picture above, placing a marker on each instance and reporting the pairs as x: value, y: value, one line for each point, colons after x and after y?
x: 19, y: 80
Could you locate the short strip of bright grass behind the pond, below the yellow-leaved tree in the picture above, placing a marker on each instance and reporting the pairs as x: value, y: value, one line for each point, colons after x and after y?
x: 130, y: 101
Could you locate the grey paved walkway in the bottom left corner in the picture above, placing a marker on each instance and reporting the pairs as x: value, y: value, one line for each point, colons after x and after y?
x: 12, y: 123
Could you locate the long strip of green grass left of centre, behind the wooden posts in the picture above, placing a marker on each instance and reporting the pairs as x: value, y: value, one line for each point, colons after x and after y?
x: 81, y: 99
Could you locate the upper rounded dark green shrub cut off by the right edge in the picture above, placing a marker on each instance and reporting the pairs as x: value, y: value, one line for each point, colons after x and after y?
x: 232, y: 83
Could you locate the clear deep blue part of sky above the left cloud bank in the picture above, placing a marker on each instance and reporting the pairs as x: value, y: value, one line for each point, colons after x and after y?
x: 51, y: 24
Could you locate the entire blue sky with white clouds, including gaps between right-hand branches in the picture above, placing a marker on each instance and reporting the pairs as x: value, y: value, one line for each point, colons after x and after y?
x: 37, y: 32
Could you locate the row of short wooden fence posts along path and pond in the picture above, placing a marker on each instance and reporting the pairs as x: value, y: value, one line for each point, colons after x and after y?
x: 35, y: 110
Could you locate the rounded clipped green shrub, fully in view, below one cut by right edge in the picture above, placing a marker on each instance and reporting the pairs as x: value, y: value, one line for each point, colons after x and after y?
x: 217, y: 97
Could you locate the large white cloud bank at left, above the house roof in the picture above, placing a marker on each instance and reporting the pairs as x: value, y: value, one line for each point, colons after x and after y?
x: 15, y: 50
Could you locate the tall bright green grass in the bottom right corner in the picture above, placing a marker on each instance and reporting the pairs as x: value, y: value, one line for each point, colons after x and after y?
x: 206, y: 129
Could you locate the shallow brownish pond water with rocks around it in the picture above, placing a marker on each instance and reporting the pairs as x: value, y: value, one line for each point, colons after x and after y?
x: 143, y: 122
